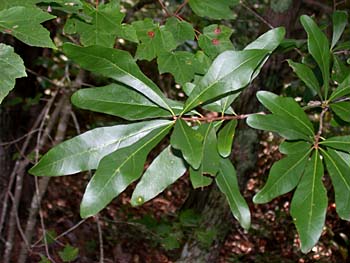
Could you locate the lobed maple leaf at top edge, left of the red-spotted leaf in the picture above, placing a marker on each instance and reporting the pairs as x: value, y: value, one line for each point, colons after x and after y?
x: 104, y: 26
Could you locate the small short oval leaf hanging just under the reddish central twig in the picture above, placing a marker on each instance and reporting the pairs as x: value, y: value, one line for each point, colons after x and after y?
x: 225, y: 138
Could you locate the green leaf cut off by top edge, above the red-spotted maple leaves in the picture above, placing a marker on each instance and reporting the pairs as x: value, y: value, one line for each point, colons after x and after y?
x: 219, y: 9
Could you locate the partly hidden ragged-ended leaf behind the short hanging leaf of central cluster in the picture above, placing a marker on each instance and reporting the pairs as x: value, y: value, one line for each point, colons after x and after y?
x: 209, y: 155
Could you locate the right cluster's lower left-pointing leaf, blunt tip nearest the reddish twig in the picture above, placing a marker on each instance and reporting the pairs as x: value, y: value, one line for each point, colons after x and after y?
x: 284, y: 127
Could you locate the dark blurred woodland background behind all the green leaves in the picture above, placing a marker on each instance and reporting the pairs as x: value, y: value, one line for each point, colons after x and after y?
x: 182, y: 224
